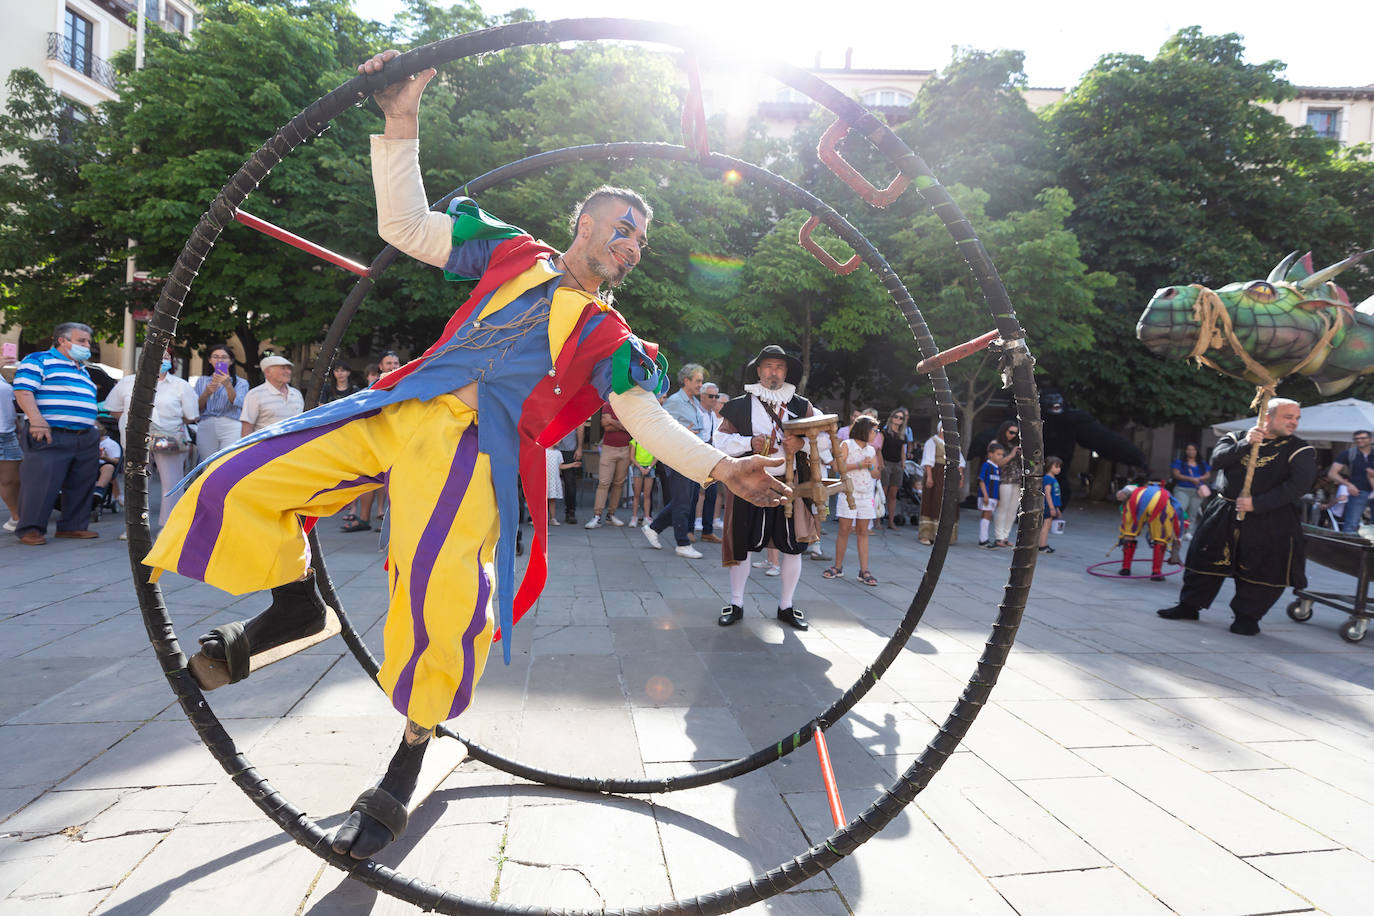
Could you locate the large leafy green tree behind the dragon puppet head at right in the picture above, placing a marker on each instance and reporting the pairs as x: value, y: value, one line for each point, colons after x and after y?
x: 1180, y: 176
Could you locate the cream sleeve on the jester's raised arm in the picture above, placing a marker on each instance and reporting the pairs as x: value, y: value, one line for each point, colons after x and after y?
x: 403, y: 215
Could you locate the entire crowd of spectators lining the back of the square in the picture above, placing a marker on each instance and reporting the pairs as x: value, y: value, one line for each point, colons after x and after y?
x: 56, y: 455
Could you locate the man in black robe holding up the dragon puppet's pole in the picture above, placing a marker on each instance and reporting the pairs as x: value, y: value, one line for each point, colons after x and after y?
x: 1263, y: 553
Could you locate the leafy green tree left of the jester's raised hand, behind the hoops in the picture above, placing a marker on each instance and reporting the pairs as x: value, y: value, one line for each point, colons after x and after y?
x: 193, y: 115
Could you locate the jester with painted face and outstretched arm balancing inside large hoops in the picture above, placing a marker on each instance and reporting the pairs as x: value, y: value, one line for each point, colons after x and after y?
x: 534, y: 352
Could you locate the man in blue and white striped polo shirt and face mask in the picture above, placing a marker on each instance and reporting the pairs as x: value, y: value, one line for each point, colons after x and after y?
x: 63, y: 447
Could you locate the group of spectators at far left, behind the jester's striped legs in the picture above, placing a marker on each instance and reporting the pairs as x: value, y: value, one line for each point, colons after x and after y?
x: 64, y: 429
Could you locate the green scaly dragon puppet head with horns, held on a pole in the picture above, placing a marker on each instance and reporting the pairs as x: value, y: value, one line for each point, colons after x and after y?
x: 1296, y: 319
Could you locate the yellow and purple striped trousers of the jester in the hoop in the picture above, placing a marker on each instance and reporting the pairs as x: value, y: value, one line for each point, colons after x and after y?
x: 238, y: 528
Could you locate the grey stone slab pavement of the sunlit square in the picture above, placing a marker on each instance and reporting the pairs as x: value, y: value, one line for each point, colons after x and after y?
x: 1125, y: 763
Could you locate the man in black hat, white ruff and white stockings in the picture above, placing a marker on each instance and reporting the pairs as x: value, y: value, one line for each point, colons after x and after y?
x: 754, y: 425
